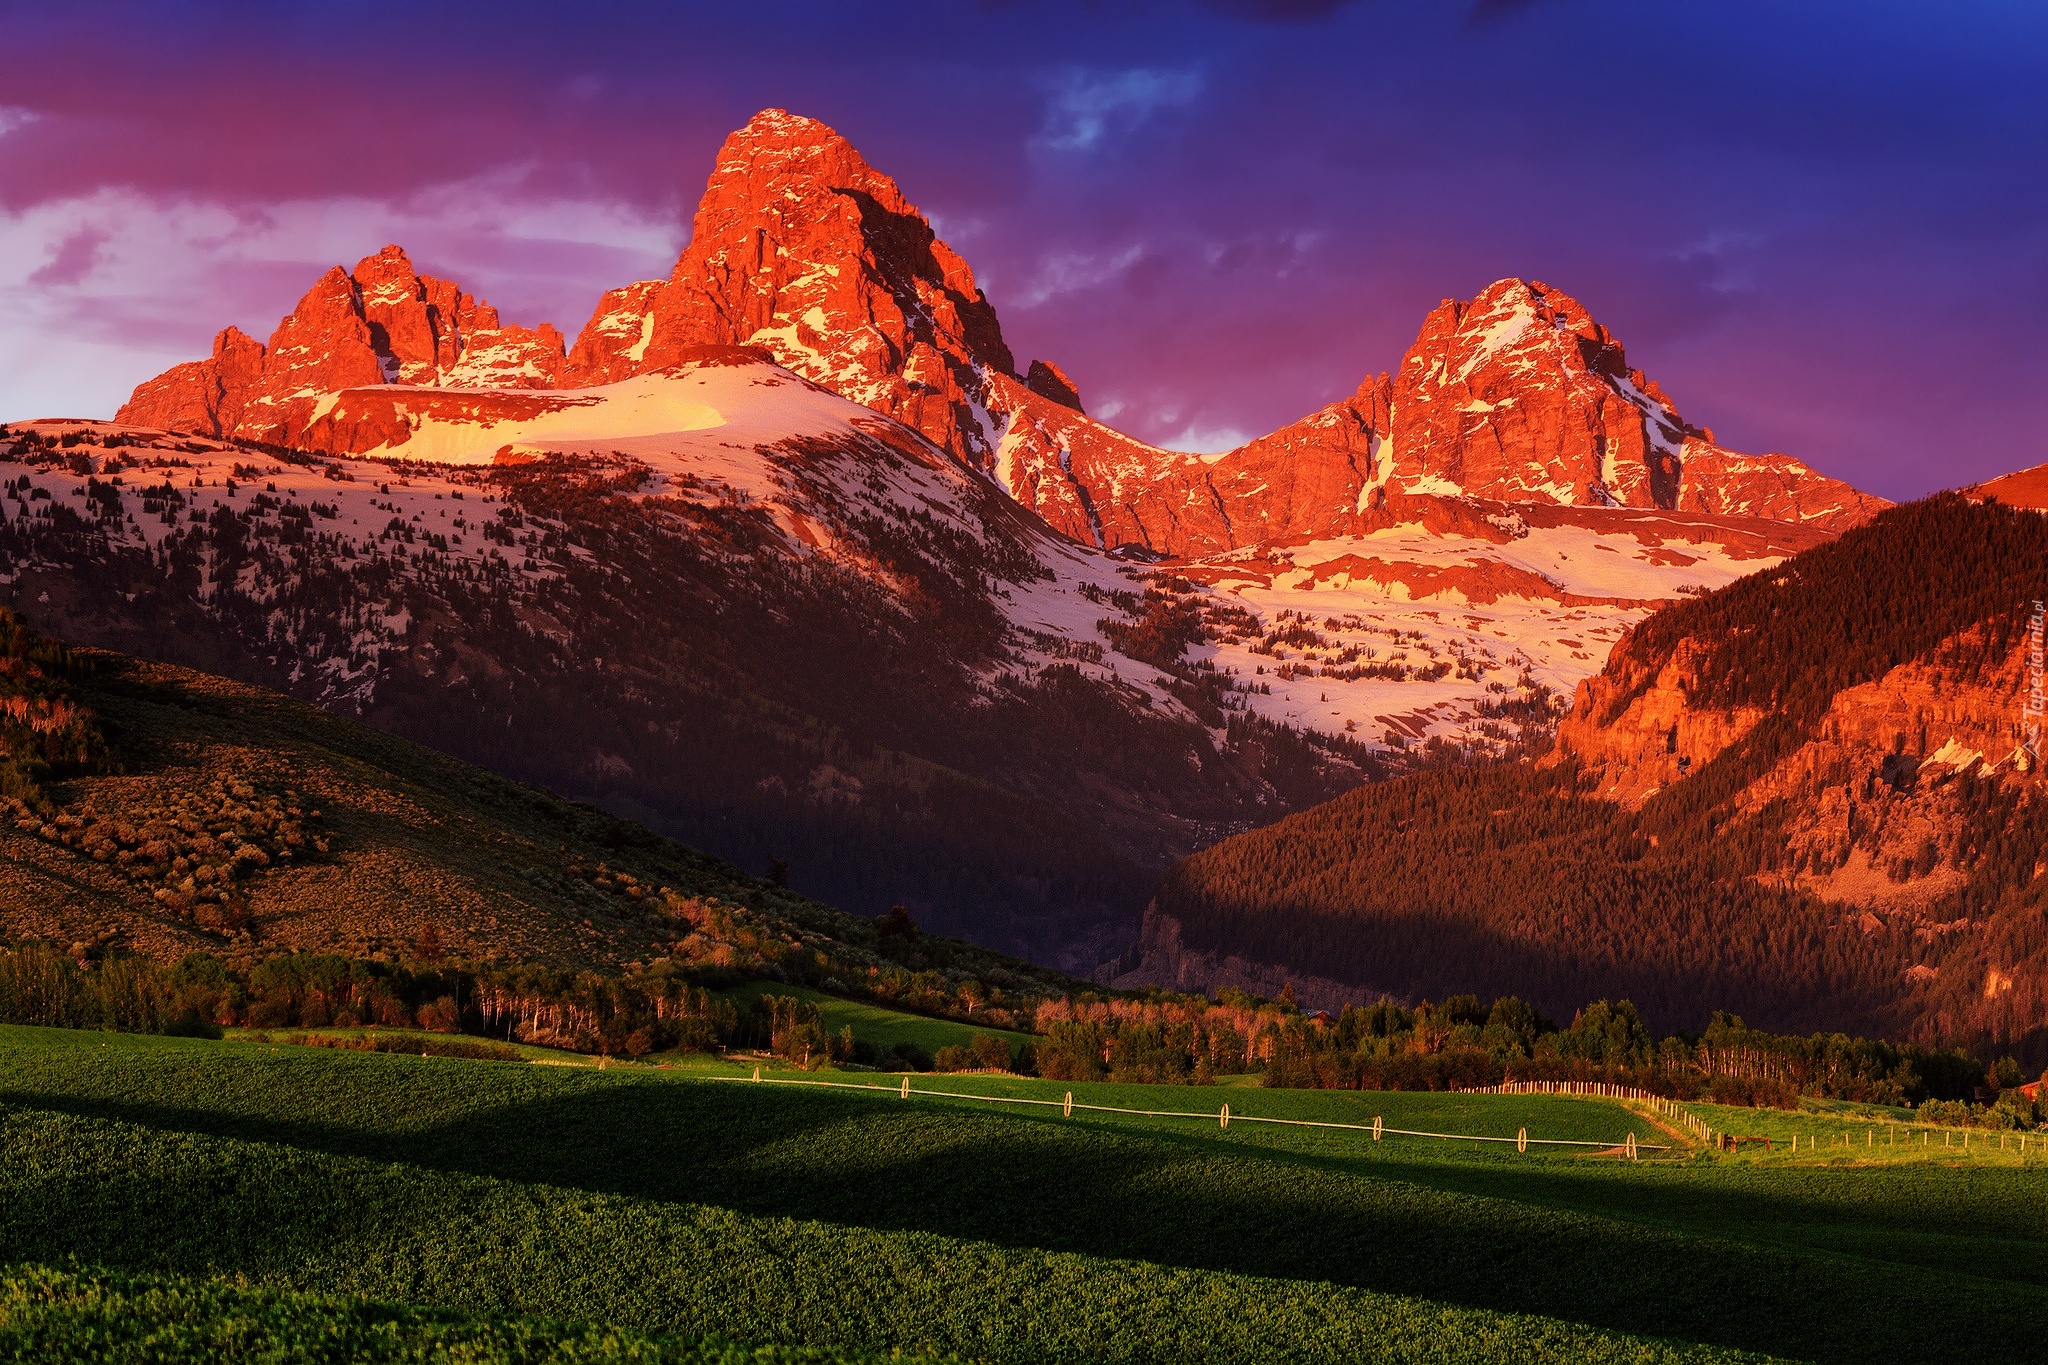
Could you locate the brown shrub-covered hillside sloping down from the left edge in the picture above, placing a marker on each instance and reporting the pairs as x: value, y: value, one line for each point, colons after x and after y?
x: 161, y: 811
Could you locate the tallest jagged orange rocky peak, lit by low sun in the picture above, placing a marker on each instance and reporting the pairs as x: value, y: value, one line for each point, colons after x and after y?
x: 808, y: 251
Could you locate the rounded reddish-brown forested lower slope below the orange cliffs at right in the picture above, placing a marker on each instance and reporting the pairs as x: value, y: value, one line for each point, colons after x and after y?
x: 1510, y: 881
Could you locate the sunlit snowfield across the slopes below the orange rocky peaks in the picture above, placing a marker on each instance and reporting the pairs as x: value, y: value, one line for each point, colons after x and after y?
x: 1390, y: 640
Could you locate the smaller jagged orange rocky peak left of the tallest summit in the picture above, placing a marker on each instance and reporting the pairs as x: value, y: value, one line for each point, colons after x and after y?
x: 378, y: 324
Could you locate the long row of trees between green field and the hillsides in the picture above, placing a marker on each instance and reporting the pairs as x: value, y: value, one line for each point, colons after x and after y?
x: 1160, y: 1041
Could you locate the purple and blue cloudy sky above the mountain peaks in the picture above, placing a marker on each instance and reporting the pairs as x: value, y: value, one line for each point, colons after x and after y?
x: 1822, y: 228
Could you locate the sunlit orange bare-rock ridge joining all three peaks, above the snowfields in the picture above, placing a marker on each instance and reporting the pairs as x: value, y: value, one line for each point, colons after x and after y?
x: 804, y: 249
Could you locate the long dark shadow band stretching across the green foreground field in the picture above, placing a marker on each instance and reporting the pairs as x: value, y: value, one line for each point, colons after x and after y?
x: 1545, y: 1239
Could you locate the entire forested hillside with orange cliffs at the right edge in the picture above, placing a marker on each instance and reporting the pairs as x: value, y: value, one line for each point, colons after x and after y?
x: 1801, y: 799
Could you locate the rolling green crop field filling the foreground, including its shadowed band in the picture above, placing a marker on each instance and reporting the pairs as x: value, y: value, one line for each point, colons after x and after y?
x: 499, y: 1210
